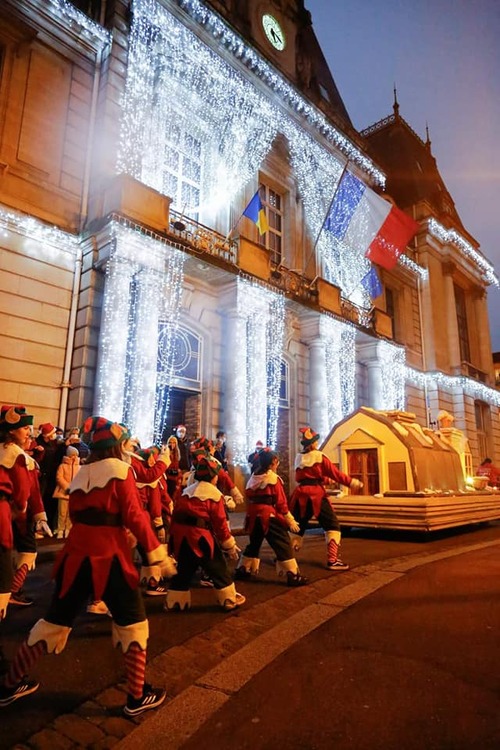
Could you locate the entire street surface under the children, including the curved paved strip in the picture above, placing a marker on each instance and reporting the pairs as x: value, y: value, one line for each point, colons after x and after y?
x: 400, y: 651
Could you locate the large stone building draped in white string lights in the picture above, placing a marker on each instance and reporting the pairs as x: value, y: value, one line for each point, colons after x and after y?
x: 133, y: 137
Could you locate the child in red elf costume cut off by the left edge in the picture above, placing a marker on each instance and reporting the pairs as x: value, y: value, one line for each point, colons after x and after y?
x: 30, y: 516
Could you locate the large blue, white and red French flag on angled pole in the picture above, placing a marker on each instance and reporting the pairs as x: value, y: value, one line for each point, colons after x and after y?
x: 362, y: 219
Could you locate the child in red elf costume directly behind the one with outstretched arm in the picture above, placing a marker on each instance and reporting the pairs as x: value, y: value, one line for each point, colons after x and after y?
x: 268, y: 518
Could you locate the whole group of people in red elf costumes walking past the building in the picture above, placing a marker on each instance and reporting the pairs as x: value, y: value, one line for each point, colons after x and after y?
x: 142, y: 522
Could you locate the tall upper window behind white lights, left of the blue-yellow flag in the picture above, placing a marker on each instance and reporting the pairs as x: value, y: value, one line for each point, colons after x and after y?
x: 182, y: 170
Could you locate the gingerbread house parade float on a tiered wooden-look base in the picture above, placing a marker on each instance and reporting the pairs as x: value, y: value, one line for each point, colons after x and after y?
x: 414, y: 477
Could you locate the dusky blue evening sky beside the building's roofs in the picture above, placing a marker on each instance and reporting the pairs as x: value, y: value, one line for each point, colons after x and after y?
x: 444, y: 57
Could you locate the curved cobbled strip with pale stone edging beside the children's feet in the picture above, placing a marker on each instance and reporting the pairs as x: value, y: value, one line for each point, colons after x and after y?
x: 204, y: 671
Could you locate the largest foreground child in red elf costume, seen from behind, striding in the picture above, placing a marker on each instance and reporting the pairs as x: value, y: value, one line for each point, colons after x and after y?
x: 96, y: 562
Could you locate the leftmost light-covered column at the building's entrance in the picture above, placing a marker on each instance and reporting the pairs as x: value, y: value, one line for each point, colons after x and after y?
x: 113, y: 339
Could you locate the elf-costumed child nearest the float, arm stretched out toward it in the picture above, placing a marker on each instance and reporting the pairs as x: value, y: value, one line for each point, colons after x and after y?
x: 312, y: 470
